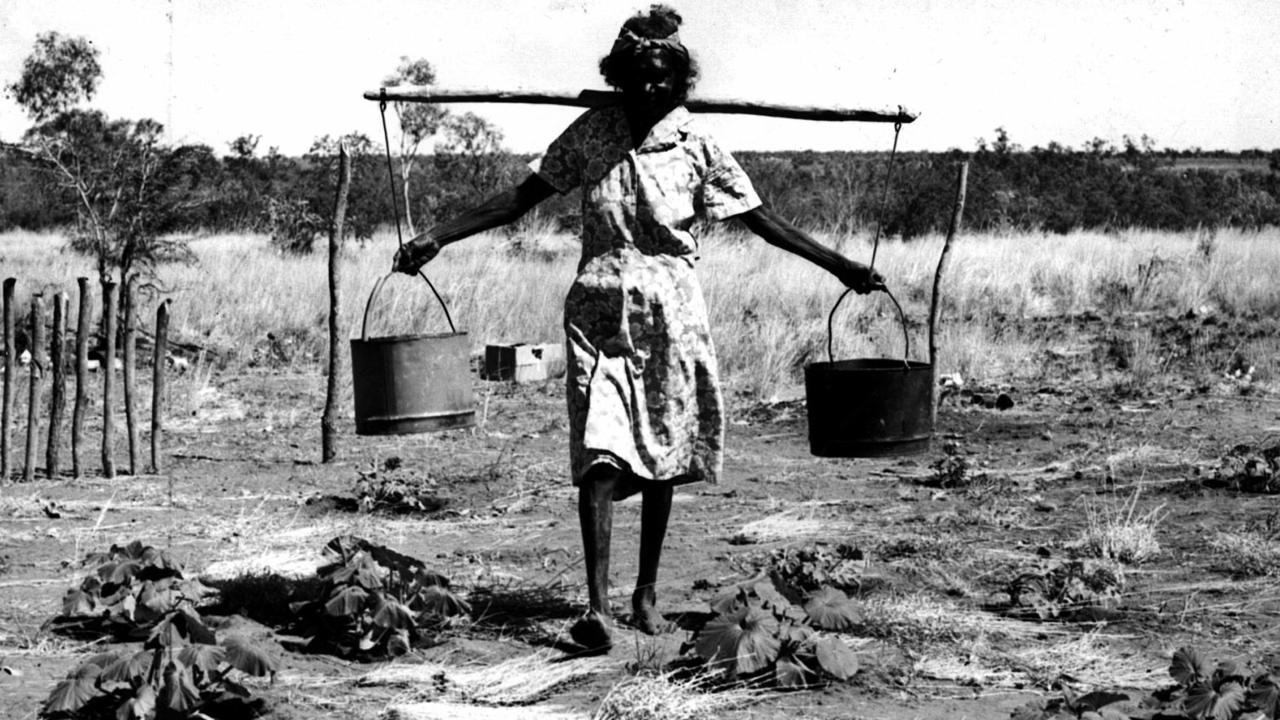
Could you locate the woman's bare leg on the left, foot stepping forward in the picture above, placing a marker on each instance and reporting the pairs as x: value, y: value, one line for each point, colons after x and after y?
x: 596, y: 517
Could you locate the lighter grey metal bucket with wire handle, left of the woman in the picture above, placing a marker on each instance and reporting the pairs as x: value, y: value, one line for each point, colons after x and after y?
x: 412, y: 384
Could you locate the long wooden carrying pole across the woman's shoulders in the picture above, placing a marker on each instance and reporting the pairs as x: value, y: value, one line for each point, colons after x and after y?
x: 600, y: 98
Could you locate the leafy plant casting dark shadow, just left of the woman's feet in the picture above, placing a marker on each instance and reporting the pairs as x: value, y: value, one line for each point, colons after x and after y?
x: 376, y: 603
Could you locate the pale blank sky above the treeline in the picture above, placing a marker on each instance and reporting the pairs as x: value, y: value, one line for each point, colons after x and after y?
x: 1191, y: 74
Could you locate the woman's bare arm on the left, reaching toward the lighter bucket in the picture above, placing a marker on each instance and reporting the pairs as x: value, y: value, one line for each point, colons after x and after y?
x: 501, y: 209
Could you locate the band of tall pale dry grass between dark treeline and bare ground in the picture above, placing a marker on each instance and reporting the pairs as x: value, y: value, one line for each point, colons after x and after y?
x: 769, y: 309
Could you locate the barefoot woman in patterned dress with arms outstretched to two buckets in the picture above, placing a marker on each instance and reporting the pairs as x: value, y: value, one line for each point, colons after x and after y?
x: 644, y: 399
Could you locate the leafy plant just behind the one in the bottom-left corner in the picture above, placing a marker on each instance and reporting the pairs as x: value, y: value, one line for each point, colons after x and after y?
x: 131, y: 589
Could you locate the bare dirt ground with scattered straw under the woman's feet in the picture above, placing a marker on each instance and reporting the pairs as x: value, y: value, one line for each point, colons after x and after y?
x: 243, y: 494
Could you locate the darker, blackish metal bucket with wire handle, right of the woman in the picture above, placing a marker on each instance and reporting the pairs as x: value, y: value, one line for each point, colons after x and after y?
x: 870, y: 408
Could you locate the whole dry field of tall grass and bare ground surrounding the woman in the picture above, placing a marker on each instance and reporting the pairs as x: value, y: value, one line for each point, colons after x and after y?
x: 1122, y: 508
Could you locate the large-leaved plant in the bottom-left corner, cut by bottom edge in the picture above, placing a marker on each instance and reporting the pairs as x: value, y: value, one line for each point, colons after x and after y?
x: 181, y: 672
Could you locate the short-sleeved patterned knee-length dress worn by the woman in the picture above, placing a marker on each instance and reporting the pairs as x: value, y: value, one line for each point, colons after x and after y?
x: 642, y: 384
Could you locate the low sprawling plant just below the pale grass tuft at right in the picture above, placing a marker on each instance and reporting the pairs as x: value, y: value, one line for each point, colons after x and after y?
x: 1066, y: 590
